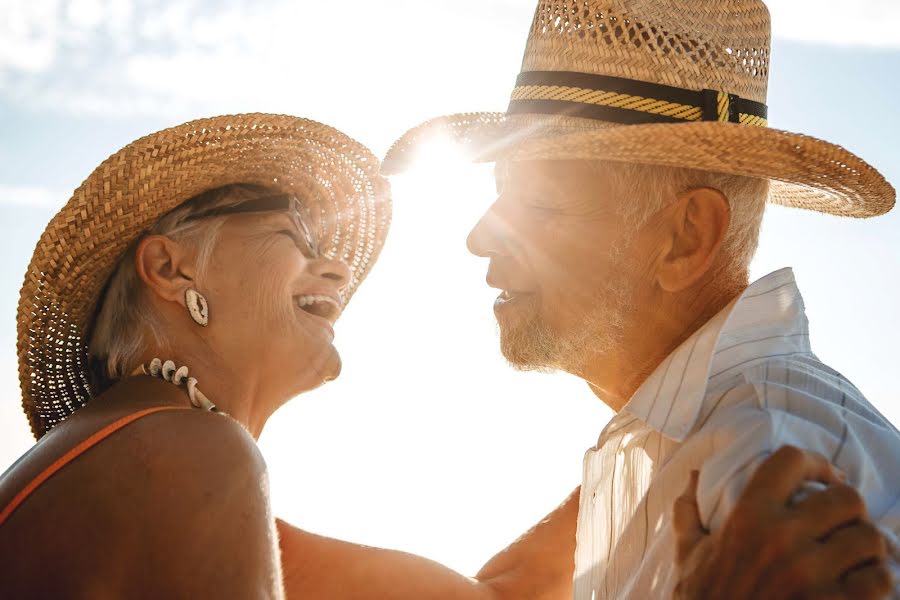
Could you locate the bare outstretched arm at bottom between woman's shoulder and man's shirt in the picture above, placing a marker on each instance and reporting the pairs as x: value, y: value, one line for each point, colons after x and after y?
x: 538, y: 566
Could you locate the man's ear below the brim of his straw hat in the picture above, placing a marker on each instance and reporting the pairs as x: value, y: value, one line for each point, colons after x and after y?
x: 696, y: 226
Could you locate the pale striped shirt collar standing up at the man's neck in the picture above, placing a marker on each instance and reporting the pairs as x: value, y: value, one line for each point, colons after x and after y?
x: 767, y: 320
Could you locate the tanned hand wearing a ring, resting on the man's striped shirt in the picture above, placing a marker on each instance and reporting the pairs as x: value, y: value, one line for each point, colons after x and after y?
x: 823, y: 546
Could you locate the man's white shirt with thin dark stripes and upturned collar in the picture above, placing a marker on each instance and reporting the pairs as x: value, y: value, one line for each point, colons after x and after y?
x: 743, y: 385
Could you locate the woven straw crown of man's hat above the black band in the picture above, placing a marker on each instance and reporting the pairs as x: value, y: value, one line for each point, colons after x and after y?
x: 721, y: 45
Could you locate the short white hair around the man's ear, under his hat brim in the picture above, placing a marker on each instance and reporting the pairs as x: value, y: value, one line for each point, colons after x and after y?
x: 643, y: 190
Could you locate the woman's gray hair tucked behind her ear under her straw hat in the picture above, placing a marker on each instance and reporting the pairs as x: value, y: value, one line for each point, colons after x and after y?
x: 117, y: 338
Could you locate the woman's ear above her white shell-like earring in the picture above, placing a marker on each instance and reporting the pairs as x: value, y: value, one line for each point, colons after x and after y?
x: 165, y: 266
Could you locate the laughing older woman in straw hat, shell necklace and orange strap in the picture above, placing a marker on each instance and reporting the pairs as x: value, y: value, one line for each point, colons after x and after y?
x: 186, y: 291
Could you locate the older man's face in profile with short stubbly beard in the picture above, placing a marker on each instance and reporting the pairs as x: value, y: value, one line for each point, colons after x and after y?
x: 561, y: 257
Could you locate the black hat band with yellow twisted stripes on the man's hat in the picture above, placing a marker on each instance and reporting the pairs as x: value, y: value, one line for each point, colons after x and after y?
x: 628, y: 101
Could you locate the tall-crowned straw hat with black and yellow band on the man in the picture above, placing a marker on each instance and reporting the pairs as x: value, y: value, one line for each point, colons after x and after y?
x: 678, y: 83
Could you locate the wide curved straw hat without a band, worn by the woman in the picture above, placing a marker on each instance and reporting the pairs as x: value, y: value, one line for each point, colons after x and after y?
x: 336, y: 177
